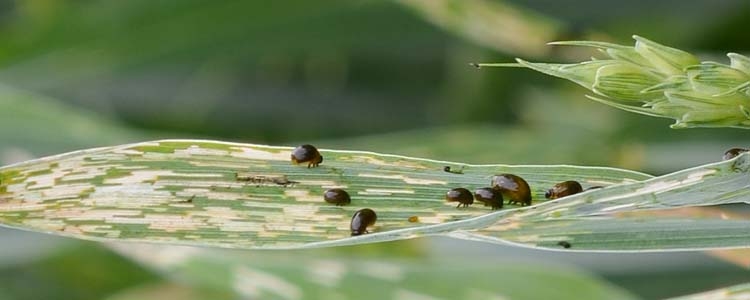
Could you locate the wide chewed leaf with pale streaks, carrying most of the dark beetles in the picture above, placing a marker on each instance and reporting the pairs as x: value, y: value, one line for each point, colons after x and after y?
x: 249, y: 196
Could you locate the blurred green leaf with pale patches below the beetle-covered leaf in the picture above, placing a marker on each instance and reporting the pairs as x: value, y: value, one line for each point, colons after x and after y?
x: 308, y: 275
